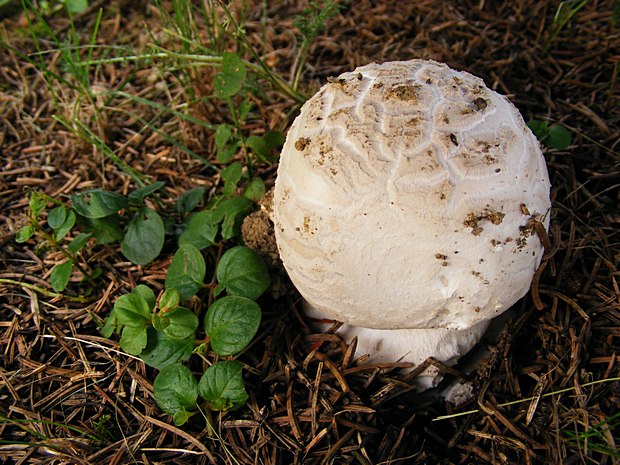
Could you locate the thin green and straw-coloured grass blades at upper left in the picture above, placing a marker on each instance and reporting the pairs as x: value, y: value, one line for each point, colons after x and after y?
x: 194, y: 37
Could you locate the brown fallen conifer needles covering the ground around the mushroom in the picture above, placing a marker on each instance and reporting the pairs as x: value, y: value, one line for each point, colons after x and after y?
x: 67, y: 395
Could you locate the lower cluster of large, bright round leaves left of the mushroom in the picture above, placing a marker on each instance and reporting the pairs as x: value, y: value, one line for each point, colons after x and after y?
x: 163, y: 333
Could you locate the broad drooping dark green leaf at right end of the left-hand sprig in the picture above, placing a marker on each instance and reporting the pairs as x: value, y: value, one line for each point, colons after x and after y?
x: 144, y: 238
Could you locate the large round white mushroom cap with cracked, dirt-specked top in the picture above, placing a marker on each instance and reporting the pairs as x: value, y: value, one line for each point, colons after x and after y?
x: 405, y: 198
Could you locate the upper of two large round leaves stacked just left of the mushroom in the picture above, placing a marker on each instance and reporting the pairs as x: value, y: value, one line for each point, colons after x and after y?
x: 243, y: 272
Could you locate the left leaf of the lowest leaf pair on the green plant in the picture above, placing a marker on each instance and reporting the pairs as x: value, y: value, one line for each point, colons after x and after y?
x: 175, y: 390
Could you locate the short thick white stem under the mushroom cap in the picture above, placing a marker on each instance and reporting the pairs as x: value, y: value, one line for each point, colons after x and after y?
x: 413, y: 346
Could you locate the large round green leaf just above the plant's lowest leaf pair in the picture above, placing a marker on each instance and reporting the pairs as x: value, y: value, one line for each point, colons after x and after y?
x: 231, y: 323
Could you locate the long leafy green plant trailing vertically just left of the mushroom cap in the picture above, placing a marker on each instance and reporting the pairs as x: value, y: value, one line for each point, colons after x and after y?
x: 161, y: 332
